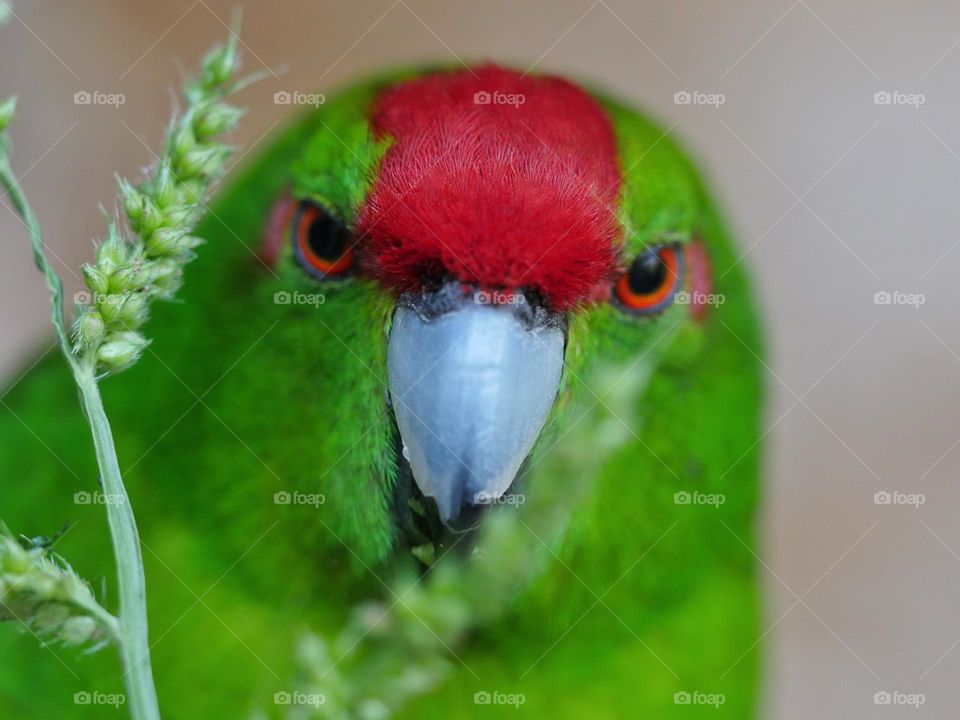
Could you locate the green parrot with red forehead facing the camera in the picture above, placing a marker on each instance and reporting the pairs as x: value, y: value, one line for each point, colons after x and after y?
x: 440, y: 297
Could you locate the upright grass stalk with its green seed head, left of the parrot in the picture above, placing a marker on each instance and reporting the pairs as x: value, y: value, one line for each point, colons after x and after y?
x: 135, y: 265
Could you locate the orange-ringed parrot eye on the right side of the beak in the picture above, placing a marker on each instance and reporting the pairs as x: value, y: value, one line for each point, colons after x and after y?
x: 649, y: 284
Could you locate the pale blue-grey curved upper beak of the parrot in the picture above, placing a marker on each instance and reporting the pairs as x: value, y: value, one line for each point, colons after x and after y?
x: 472, y: 385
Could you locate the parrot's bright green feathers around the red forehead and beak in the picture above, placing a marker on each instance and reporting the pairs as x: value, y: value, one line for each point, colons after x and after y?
x: 239, y: 398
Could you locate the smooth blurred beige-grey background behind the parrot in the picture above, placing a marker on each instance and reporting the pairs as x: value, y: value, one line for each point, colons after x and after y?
x: 834, y: 198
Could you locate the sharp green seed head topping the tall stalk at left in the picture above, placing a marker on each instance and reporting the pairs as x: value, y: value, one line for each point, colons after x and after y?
x: 144, y: 260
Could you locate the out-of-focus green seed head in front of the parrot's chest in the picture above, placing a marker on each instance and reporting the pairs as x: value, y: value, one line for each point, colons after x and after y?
x: 394, y: 650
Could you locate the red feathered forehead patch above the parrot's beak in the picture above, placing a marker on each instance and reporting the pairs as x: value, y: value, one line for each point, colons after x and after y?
x: 497, y: 179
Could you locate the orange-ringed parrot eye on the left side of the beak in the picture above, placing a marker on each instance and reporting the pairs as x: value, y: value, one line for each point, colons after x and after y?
x: 322, y: 245
